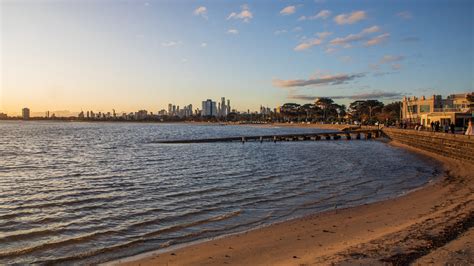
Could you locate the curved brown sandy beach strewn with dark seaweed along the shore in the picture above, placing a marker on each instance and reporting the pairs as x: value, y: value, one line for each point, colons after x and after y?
x: 430, y: 225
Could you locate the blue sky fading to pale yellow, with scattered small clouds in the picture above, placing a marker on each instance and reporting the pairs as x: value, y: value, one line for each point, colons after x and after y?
x: 129, y: 55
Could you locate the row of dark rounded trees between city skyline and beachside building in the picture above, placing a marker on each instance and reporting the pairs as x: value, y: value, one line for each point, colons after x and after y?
x: 325, y: 109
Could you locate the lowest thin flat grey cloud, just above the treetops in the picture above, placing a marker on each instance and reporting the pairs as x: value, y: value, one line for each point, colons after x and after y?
x: 361, y: 96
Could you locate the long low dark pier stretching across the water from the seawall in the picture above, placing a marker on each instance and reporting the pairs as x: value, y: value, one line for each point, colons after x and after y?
x: 337, y: 135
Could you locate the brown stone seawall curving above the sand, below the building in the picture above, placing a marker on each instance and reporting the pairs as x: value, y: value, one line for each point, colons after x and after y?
x: 454, y: 146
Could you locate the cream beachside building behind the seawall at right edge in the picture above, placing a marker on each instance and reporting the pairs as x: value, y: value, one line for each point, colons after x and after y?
x: 456, y: 108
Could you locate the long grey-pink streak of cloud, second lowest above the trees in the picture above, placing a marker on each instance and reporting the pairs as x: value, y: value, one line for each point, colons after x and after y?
x: 317, y: 80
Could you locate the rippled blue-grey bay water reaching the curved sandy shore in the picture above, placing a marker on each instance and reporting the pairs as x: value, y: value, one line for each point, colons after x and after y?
x: 91, y: 192
